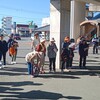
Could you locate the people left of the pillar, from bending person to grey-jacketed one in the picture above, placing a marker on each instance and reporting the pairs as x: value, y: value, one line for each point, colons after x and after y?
x: 39, y: 51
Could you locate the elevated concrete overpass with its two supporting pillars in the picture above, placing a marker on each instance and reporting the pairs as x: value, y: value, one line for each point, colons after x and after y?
x: 65, y: 19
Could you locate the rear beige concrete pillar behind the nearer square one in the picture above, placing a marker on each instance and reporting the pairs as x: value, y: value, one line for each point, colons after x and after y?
x: 77, y: 16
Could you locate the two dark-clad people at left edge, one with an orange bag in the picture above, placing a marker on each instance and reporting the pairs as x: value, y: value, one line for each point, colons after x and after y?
x: 9, y: 46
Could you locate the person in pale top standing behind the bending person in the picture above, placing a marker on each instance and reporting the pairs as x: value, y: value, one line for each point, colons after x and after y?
x: 35, y: 41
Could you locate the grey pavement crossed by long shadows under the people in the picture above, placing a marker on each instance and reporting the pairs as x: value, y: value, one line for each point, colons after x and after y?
x: 79, y: 84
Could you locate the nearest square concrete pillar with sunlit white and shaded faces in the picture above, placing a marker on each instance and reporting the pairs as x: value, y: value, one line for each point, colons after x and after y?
x: 59, y: 23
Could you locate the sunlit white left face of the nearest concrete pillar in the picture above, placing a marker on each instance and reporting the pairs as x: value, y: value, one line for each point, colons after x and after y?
x: 55, y: 26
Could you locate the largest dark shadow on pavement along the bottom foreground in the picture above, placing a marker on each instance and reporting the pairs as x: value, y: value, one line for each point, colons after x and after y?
x: 37, y: 94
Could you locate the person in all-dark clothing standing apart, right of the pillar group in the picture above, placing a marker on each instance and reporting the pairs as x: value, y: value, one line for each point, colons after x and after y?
x: 83, y: 52
